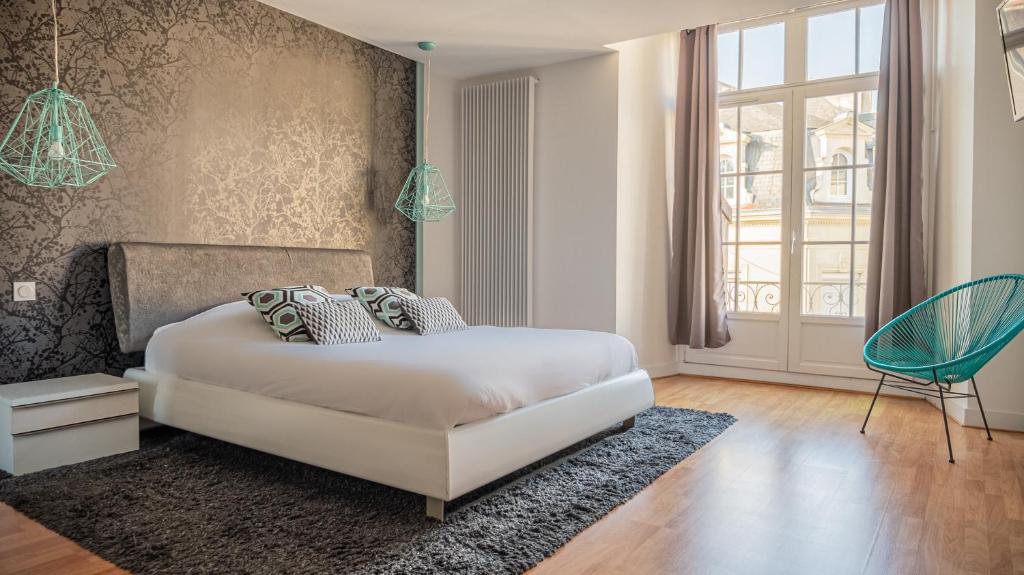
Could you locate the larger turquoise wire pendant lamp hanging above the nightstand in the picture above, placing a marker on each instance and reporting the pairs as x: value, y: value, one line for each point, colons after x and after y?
x: 54, y: 143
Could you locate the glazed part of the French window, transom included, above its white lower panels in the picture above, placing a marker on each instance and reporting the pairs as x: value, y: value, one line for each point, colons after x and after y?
x: 813, y: 73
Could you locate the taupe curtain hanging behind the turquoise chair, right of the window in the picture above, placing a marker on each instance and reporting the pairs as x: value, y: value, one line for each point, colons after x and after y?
x: 897, y: 256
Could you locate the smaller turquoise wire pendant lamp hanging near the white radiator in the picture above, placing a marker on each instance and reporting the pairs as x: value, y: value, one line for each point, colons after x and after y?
x: 425, y: 197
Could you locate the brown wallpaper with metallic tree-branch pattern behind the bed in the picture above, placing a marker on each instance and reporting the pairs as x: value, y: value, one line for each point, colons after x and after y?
x: 232, y: 123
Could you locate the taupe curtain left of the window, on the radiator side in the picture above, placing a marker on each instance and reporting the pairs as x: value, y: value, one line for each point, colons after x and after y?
x: 697, y: 295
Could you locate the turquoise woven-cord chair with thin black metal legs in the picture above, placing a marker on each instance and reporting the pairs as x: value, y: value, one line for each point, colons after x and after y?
x: 947, y: 340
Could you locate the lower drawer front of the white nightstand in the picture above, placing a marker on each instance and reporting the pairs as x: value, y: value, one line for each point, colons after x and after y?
x: 45, y: 450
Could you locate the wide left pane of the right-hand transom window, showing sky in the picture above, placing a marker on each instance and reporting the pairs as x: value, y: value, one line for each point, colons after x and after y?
x: 832, y: 46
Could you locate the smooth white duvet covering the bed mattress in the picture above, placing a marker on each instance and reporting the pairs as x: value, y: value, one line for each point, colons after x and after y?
x: 437, y: 382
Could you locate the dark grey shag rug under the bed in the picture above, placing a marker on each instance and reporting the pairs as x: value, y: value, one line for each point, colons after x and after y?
x: 186, y: 504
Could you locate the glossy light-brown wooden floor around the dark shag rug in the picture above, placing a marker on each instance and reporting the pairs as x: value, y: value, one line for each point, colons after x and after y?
x: 791, y: 489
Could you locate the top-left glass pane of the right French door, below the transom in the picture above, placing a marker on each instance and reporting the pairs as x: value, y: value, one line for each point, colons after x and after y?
x: 830, y: 130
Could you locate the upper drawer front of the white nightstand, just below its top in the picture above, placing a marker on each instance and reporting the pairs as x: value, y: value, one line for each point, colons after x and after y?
x: 26, y: 419
